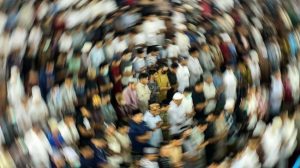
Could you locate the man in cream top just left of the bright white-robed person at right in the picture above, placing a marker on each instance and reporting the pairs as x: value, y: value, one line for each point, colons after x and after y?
x: 209, y: 93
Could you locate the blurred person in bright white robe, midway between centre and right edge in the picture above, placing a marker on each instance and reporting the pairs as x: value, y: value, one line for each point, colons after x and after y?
x: 230, y: 83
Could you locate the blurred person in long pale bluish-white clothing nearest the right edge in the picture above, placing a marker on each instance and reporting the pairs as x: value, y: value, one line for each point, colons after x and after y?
x: 276, y: 95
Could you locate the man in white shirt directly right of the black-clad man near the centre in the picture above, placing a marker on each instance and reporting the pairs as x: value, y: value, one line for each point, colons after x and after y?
x: 183, y: 74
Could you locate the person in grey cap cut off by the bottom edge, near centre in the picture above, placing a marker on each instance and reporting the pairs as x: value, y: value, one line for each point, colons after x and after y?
x: 149, y: 159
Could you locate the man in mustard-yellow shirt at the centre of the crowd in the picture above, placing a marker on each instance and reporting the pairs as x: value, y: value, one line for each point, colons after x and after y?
x: 163, y: 82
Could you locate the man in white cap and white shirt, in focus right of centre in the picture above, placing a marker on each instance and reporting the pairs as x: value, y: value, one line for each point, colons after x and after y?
x: 177, y: 114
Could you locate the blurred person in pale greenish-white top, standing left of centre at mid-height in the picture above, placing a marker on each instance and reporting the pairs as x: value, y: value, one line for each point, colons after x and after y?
x: 68, y: 95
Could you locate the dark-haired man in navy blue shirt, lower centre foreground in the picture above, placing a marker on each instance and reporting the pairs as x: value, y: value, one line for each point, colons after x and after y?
x: 139, y: 134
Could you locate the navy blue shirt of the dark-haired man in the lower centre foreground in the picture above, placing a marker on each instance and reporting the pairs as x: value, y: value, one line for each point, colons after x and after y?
x: 135, y: 131
